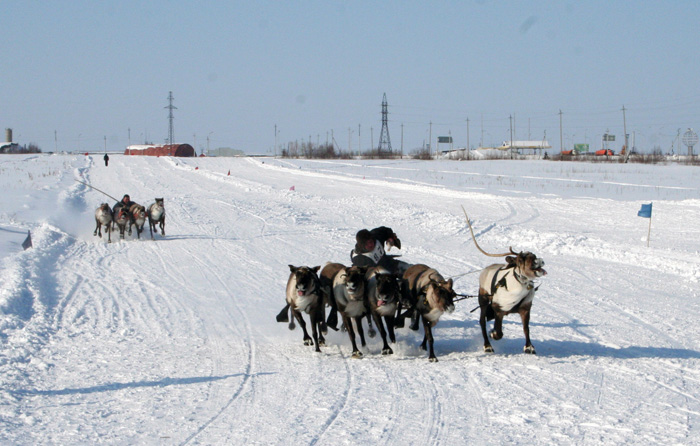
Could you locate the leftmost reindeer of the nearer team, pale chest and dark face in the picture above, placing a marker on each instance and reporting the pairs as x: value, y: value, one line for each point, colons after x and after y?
x: 304, y: 295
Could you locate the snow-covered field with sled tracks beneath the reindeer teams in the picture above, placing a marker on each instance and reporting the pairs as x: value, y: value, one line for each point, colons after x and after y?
x: 174, y: 341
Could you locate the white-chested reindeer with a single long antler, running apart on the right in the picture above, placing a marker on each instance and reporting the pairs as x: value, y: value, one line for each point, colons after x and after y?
x: 506, y: 289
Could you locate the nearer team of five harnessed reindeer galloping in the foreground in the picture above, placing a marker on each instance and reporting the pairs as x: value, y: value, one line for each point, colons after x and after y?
x: 377, y: 294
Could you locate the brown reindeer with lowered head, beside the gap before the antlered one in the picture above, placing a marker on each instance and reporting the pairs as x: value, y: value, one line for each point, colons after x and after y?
x: 431, y: 295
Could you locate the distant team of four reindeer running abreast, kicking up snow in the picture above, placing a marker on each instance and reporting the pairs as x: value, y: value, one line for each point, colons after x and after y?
x: 126, y: 217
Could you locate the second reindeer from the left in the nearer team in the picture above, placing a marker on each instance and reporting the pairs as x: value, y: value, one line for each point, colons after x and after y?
x: 347, y: 292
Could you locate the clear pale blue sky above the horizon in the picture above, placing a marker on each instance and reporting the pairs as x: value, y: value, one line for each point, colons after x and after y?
x: 75, y: 72
